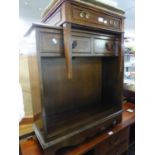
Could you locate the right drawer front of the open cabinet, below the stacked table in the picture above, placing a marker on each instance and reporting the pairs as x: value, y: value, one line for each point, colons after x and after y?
x: 103, y: 46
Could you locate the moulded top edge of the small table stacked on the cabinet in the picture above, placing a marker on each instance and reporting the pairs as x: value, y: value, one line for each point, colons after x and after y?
x: 94, y: 5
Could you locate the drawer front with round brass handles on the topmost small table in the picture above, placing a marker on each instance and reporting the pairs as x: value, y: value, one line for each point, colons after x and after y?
x: 85, y: 15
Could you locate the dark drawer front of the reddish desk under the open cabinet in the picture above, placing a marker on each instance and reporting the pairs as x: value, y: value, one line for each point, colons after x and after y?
x: 113, y: 143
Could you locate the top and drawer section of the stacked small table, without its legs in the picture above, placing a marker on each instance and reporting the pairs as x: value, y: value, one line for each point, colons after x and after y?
x: 82, y: 13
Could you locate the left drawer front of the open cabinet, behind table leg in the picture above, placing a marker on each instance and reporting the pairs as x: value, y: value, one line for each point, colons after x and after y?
x: 51, y: 42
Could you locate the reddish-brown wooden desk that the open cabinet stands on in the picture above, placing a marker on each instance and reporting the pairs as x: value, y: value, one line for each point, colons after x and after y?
x: 32, y: 146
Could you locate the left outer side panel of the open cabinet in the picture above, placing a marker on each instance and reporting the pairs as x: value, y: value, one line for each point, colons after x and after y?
x: 34, y: 77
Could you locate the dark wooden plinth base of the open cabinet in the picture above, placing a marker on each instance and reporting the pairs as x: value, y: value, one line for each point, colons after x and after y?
x: 79, y: 135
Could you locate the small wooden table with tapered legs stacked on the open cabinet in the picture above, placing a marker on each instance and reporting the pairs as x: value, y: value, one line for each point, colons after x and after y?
x: 79, y: 14
